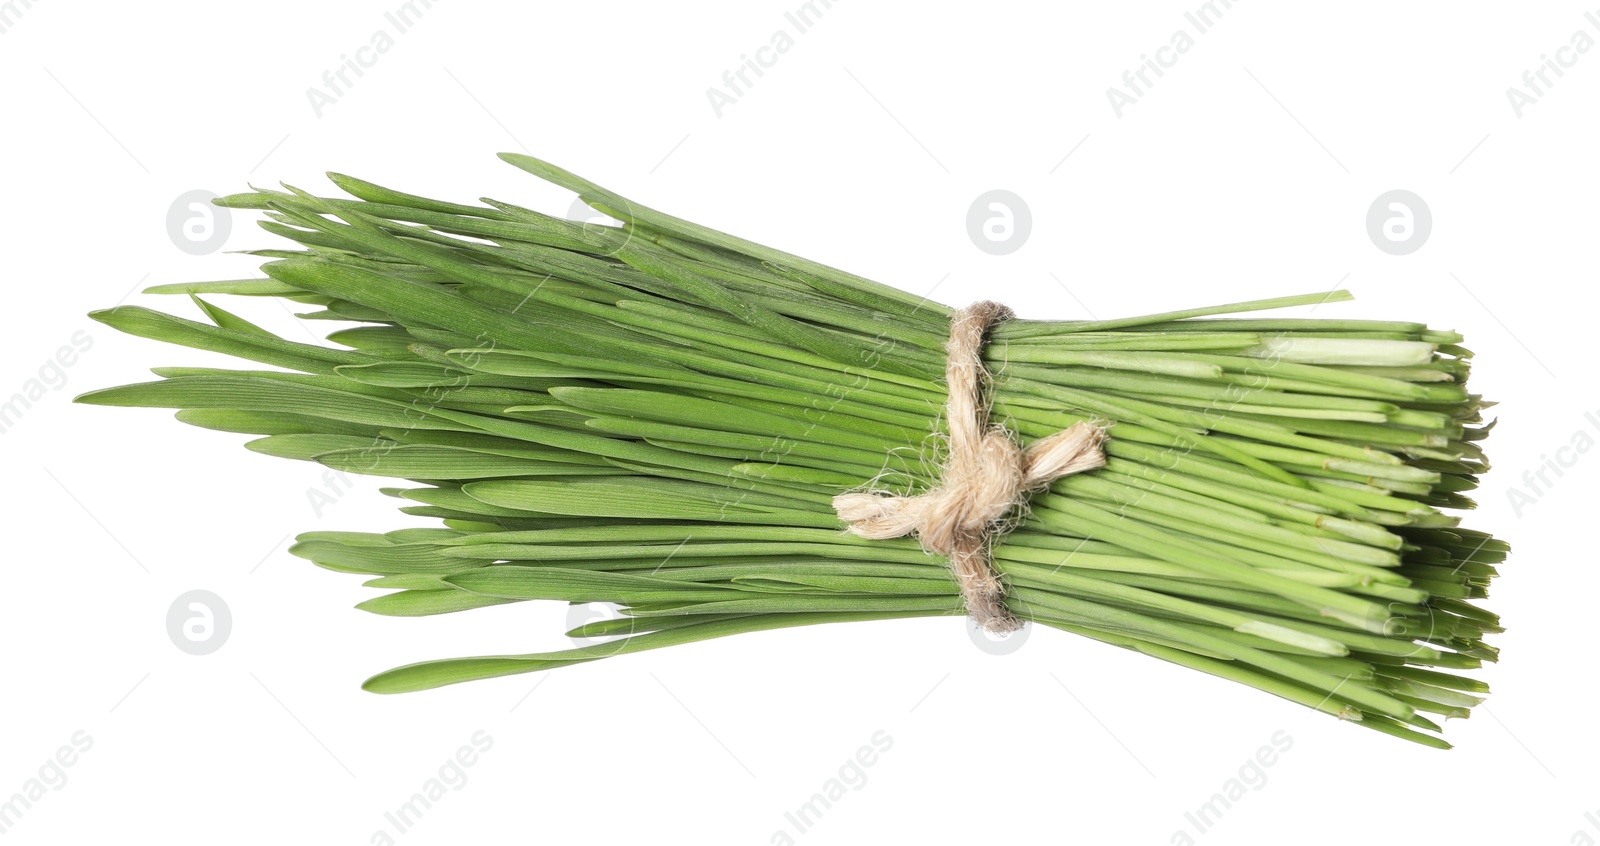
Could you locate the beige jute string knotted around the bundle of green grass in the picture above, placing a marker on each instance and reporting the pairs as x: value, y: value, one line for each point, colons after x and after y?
x: 983, y: 479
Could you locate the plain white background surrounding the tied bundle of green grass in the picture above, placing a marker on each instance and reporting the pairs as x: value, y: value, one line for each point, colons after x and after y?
x: 1246, y: 172
